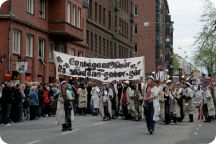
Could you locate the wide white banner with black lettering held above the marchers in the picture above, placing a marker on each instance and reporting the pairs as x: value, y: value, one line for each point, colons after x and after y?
x: 105, y: 70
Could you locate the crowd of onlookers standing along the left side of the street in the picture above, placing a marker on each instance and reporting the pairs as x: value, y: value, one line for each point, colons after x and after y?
x: 26, y: 101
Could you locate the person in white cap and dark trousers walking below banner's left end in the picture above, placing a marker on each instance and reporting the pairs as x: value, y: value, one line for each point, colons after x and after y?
x: 67, y: 101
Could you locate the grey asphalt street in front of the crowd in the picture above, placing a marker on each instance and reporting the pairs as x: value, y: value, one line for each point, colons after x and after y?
x: 92, y: 130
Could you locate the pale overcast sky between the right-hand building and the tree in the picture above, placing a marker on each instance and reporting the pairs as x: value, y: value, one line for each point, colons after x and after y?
x: 186, y: 15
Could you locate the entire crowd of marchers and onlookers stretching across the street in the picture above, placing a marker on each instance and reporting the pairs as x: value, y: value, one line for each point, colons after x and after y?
x: 155, y: 100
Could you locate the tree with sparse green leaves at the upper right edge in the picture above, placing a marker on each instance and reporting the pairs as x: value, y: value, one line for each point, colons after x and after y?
x: 205, y: 42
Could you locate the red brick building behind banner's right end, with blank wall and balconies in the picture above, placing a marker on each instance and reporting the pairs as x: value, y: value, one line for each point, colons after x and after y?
x: 153, y: 33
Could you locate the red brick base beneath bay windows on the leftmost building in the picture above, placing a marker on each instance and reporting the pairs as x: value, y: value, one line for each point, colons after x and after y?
x: 66, y: 30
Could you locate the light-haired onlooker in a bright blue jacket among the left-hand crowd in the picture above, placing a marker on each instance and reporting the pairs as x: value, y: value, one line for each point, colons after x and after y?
x: 33, y: 102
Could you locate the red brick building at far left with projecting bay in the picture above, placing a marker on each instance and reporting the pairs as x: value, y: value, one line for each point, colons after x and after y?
x: 31, y: 30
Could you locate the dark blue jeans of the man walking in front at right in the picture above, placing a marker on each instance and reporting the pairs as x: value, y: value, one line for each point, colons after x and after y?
x: 149, y: 113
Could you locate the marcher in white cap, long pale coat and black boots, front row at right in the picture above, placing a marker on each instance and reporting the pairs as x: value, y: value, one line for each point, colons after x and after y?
x: 189, y: 106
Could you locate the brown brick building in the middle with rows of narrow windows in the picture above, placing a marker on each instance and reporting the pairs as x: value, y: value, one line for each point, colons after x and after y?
x: 109, y: 27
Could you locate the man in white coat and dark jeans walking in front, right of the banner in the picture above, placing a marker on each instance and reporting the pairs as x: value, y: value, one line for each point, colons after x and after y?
x: 150, y: 100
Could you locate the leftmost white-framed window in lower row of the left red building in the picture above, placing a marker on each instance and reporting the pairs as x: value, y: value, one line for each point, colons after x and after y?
x: 16, y: 41
